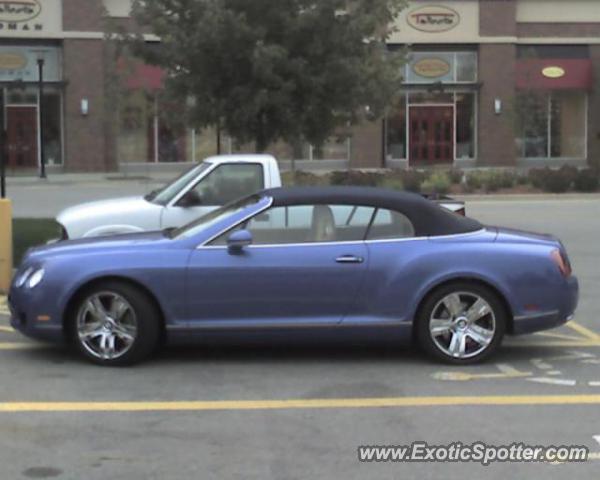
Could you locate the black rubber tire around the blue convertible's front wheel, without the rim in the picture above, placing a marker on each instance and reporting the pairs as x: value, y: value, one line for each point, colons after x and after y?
x: 148, y: 323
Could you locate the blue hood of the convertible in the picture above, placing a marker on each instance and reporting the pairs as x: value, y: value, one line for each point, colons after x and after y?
x: 134, y: 241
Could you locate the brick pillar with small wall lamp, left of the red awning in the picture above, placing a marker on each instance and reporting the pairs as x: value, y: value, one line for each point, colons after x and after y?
x: 496, y: 132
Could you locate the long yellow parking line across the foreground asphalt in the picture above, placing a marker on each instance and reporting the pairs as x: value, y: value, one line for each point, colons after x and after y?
x: 299, y: 404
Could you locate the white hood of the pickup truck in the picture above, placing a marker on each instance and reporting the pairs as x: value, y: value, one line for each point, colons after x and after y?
x: 110, y: 209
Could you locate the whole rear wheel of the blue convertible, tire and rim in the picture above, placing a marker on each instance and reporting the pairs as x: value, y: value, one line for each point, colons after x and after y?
x: 461, y: 323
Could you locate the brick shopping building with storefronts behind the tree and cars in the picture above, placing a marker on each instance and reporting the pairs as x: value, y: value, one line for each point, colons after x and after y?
x: 487, y: 83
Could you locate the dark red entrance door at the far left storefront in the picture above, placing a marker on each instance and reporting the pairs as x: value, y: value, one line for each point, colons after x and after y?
x: 22, y: 137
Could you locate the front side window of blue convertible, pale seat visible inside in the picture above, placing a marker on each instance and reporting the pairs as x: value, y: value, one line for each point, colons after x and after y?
x: 307, y: 224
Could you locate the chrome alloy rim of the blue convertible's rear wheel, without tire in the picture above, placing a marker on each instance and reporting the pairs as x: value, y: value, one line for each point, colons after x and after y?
x: 462, y: 325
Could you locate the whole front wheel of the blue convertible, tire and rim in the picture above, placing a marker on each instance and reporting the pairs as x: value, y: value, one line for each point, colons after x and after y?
x: 114, y: 324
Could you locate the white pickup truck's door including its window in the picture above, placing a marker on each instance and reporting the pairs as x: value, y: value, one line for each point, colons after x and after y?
x: 224, y: 184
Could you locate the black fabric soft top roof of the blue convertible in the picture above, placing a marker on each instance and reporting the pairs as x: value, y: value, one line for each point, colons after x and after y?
x: 428, y: 218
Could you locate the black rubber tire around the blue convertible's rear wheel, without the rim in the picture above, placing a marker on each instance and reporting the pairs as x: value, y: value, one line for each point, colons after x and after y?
x: 422, y: 326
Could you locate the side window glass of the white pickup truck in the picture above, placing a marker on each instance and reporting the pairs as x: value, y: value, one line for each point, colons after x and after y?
x: 229, y: 182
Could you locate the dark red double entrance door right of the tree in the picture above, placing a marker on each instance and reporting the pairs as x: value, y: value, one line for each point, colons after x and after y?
x: 431, y: 135
